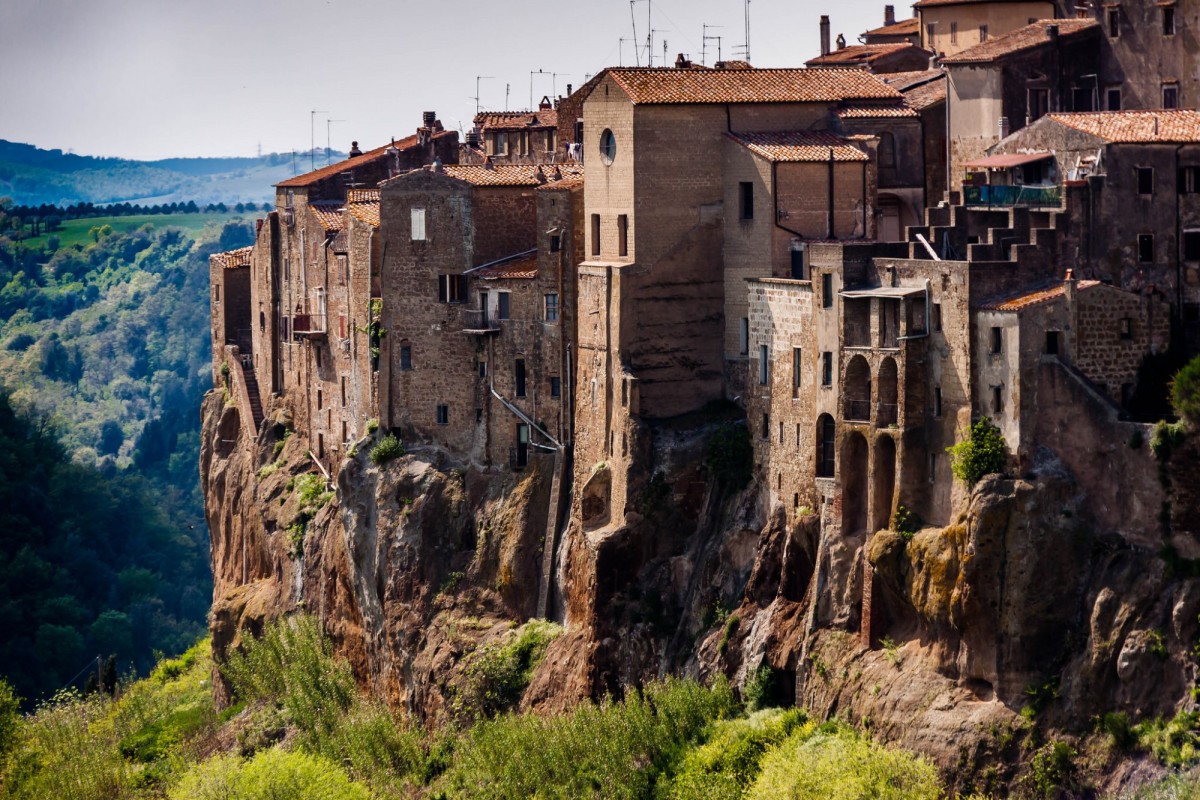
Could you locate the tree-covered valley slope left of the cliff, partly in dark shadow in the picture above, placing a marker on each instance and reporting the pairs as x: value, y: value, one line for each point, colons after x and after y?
x: 104, y: 356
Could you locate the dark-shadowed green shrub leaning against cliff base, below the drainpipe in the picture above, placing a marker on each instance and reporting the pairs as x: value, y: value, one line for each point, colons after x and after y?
x: 496, y: 676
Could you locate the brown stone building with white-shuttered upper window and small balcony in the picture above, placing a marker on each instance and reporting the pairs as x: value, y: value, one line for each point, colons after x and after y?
x: 476, y: 356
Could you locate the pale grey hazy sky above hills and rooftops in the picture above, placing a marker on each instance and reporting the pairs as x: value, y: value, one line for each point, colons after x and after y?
x: 159, y: 79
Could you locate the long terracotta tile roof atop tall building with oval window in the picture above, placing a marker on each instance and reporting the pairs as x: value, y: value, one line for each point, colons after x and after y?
x: 668, y: 86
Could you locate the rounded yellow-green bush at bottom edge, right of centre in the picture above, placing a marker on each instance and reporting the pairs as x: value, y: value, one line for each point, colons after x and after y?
x: 839, y: 765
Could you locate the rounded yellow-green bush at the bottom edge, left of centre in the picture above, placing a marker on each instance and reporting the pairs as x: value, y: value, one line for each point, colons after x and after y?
x: 271, y: 775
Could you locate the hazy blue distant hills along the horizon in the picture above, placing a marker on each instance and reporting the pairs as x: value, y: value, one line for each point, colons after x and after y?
x: 35, y: 177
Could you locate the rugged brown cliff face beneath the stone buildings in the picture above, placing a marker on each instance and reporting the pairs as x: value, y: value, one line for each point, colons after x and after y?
x: 935, y: 640
